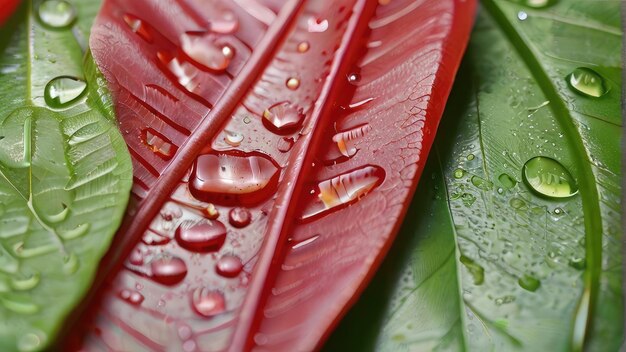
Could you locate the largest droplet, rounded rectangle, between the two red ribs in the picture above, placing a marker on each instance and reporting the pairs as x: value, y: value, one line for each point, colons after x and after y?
x: 233, y: 178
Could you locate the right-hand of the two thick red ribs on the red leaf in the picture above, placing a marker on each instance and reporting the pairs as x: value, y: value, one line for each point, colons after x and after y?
x: 285, y: 208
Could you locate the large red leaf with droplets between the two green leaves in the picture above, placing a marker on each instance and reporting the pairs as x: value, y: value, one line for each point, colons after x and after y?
x: 276, y: 147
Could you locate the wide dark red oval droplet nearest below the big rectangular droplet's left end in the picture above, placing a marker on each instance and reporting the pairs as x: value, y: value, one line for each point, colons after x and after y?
x: 203, y: 237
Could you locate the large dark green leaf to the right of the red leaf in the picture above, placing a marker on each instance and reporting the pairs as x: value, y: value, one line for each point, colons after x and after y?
x: 535, y: 273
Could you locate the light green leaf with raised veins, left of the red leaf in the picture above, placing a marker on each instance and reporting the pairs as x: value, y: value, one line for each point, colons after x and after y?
x: 65, y: 172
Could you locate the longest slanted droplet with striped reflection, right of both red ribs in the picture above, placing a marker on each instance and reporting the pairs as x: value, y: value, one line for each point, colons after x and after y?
x: 343, y: 190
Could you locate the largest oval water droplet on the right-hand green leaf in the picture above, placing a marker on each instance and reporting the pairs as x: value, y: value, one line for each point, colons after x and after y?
x: 547, y: 177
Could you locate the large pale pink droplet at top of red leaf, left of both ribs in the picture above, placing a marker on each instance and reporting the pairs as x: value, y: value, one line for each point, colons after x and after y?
x: 204, y: 49
